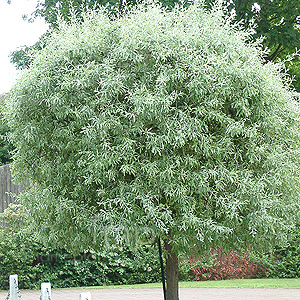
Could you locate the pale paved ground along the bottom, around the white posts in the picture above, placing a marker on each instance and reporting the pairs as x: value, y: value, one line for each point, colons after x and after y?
x: 156, y: 294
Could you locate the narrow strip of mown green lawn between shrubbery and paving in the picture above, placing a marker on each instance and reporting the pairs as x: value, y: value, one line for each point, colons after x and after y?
x: 235, y: 283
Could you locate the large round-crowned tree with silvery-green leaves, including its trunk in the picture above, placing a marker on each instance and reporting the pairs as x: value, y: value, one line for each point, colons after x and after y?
x: 157, y: 124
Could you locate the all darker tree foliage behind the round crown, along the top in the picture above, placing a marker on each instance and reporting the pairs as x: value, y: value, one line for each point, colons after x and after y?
x: 277, y: 21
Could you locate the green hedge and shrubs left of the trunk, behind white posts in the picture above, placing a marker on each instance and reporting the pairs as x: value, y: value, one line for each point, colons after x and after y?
x: 21, y: 254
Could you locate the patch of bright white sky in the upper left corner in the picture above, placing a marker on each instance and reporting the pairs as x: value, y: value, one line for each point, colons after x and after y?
x: 15, y: 32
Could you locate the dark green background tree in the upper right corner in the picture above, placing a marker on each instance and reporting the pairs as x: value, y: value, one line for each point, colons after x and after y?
x: 278, y: 21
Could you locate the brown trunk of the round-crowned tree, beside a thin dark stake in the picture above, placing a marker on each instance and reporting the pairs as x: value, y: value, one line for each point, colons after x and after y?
x: 171, y: 272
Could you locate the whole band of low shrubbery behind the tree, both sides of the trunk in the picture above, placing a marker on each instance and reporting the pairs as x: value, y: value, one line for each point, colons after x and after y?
x: 20, y: 253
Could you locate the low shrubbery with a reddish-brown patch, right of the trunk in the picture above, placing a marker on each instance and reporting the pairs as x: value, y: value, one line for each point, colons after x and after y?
x: 283, y: 262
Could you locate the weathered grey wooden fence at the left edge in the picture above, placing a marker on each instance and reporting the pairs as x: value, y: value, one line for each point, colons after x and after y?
x: 7, y: 187
